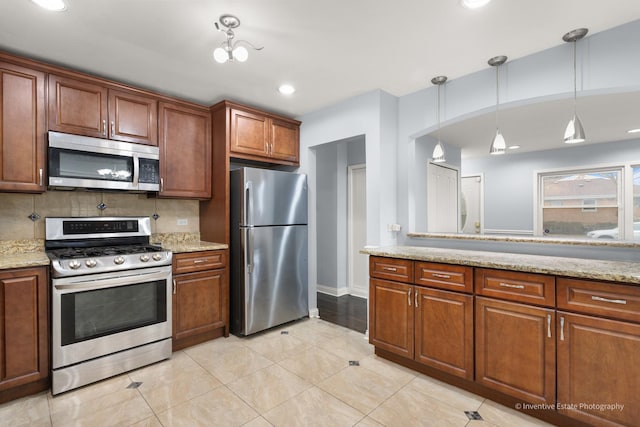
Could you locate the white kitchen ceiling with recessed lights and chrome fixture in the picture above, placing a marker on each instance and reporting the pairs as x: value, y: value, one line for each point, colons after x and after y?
x: 330, y: 50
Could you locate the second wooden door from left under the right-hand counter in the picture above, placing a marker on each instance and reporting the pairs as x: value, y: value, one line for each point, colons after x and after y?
x: 444, y: 331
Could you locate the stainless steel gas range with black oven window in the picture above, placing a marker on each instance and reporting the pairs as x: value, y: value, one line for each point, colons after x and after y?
x: 111, y: 298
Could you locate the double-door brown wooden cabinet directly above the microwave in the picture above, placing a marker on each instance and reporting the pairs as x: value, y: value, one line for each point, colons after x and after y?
x: 91, y: 109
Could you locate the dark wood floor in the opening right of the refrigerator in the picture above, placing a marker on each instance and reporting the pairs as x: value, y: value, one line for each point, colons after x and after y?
x: 347, y: 311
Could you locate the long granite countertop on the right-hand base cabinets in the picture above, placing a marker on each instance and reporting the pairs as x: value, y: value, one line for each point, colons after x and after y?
x: 618, y: 271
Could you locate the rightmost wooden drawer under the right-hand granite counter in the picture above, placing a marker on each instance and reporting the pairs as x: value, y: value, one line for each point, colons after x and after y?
x: 600, y: 298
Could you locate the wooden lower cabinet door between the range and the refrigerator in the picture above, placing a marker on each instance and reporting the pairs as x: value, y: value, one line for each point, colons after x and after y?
x: 199, y: 303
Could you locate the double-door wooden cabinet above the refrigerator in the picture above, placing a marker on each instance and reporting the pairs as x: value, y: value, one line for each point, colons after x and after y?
x: 261, y: 136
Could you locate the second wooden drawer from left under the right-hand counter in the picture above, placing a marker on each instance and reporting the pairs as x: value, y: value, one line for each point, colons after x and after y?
x: 444, y: 276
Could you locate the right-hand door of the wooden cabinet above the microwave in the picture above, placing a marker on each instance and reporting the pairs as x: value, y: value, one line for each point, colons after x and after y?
x: 133, y: 117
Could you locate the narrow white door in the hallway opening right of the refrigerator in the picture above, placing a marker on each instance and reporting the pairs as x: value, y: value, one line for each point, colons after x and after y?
x: 358, y: 267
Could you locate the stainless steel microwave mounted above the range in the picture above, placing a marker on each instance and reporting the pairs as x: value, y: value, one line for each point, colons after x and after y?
x: 94, y: 163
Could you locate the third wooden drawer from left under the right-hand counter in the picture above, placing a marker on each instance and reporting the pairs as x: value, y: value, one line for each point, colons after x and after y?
x: 529, y: 288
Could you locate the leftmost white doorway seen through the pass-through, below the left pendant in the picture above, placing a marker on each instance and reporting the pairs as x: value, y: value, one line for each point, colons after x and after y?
x: 442, y: 199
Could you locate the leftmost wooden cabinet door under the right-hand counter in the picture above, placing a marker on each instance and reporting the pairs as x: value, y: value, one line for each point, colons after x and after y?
x: 391, y: 322
